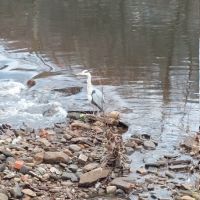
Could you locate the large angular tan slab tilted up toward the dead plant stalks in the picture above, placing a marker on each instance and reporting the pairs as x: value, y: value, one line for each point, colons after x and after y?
x: 93, y: 176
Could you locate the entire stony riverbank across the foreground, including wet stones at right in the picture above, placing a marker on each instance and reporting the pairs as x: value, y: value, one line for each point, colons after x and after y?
x: 86, y: 158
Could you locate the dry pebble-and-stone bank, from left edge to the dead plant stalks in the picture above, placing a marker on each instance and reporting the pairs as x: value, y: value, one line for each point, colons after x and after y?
x: 82, y: 159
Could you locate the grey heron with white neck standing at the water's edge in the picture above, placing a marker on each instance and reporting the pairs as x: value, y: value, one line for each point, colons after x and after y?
x: 95, y: 96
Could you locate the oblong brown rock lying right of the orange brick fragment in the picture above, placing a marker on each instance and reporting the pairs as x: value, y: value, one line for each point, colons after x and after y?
x: 55, y: 157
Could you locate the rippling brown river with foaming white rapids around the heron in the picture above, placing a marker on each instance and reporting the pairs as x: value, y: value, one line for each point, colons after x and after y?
x: 143, y: 54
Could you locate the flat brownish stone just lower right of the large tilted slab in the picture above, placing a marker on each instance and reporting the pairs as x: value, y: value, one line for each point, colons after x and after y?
x: 122, y: 183
